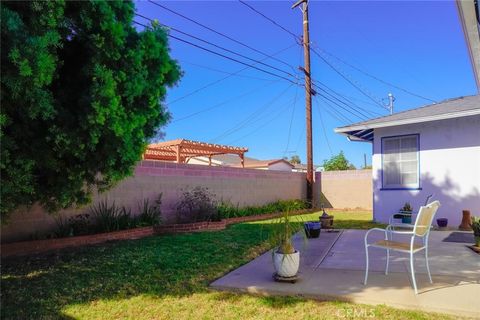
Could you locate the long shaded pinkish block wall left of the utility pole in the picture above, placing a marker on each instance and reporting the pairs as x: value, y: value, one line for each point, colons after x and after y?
x: 239, y: 186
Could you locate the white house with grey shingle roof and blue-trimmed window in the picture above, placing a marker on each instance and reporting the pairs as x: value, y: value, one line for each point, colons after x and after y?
x: 429, y: 150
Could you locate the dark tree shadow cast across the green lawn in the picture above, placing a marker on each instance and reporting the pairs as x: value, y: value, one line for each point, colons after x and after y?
x: 176, y: 265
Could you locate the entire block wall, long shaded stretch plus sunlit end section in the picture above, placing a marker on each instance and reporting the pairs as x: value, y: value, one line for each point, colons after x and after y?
x: 338, y: 189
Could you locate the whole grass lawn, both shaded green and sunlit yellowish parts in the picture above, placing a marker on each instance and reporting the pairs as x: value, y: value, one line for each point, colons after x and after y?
x: 165, y: 277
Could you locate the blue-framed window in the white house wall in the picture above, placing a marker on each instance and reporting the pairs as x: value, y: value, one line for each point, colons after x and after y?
x: 400, y: 162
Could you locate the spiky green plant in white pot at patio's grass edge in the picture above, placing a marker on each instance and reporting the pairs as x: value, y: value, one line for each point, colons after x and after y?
x: 286, y: 259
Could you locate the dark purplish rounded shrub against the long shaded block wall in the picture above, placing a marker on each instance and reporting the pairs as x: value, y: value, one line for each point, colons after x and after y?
x: 197, y: 204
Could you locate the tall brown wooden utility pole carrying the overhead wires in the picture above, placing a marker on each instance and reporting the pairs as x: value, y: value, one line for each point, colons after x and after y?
x: 308, y: 97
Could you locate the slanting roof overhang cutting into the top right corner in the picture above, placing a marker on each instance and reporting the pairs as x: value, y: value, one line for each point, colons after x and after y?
x: 468, y: 14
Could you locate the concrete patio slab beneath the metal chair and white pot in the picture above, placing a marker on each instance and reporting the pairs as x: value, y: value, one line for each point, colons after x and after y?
x: 332, y: 268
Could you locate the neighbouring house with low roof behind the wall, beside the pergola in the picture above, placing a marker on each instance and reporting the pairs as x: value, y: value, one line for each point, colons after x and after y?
x: 228, y: 160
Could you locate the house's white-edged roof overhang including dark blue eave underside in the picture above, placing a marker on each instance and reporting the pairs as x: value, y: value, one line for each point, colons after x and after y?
x: 364, y: 132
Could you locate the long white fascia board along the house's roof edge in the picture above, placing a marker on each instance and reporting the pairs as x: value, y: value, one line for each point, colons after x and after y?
x: 384, y: 124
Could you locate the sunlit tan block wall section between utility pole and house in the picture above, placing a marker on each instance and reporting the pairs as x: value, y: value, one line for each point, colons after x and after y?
x: 349, y: 189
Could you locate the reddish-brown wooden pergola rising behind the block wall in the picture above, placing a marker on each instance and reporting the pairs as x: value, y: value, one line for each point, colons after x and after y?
x: 182, y: 150
